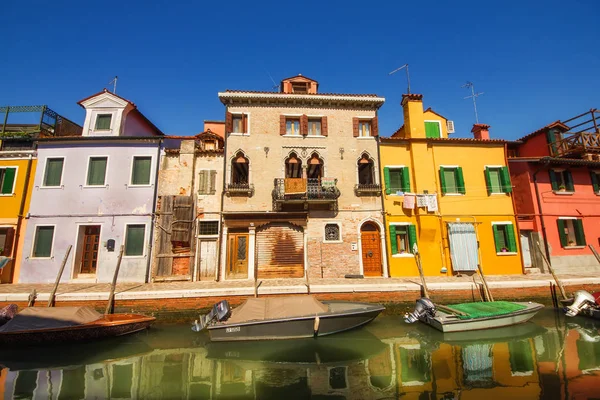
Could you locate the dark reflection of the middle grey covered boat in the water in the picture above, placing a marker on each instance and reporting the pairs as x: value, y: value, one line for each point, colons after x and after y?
x: 344, y: 347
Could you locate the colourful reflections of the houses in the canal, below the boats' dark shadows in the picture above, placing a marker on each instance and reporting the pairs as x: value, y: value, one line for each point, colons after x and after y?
x: 558, y: 363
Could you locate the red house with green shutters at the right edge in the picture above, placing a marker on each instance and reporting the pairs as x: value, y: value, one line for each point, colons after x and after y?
x: 556, y: 176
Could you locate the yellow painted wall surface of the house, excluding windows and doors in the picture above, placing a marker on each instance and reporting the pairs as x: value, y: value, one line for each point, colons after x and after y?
x: 424, y: 158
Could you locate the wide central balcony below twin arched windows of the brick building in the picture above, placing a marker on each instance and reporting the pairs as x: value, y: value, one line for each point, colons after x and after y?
x: 305, y: 191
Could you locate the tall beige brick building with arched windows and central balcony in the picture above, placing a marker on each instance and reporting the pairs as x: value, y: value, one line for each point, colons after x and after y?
x: 301, y: 188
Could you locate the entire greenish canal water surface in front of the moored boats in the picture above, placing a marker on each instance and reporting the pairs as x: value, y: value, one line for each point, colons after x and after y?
x: 551, y: 357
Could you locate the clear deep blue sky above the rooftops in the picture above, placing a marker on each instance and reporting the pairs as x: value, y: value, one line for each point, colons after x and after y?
x: 535, y: 61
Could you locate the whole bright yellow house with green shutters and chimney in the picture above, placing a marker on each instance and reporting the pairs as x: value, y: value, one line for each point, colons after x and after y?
x: 451, y: 197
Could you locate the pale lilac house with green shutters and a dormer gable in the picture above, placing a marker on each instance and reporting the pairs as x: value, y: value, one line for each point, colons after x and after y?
x: 95, y: 193
